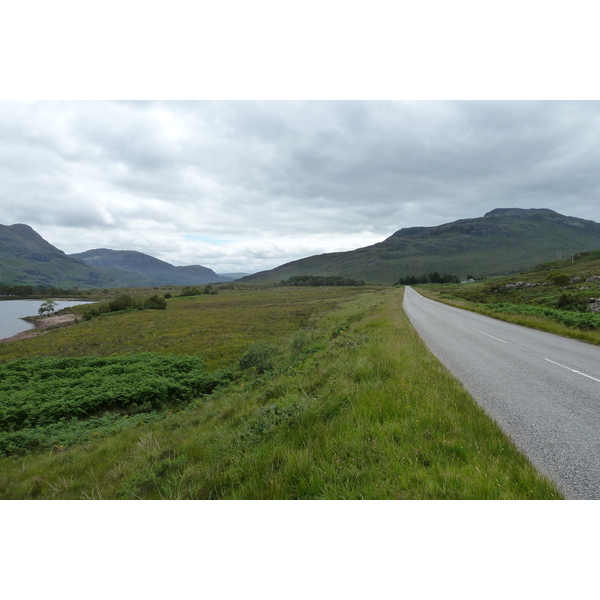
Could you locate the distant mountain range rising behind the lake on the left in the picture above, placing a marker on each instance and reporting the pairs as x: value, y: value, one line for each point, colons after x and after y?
x: 28, y: 259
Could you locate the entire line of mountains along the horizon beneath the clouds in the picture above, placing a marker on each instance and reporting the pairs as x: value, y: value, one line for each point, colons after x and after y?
x: 503, y: 240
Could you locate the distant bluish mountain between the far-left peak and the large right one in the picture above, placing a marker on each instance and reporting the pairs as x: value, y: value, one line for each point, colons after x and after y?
x: 145, y: 270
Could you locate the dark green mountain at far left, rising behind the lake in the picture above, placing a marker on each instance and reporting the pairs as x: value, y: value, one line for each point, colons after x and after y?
x: 28, y: 259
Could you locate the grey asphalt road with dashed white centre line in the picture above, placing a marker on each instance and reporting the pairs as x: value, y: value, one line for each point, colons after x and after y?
x: 542, y: 389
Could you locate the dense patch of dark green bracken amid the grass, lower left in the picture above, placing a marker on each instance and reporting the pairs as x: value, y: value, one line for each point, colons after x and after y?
x: 47, y: 402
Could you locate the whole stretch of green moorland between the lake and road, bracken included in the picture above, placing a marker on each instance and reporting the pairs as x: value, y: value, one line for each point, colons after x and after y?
x: 258, y: 392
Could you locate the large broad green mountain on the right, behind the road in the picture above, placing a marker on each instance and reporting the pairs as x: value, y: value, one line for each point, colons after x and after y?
x: 503, y: 240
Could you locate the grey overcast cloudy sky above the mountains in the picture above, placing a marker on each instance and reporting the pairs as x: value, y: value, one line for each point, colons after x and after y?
x: 248, y: 185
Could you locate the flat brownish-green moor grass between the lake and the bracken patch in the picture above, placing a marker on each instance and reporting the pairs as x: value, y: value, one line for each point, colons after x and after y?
x: 218, y: 328
